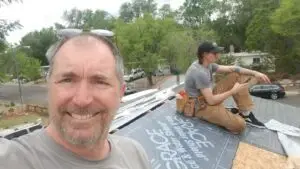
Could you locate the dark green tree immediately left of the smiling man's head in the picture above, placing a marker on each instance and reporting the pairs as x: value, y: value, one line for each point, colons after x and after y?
x: 39, y: 42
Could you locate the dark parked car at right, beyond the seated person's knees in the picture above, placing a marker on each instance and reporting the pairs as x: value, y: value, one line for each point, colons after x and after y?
x: 272, y: 91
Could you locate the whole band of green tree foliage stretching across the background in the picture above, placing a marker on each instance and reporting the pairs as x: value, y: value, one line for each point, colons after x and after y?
x: 148, y: 34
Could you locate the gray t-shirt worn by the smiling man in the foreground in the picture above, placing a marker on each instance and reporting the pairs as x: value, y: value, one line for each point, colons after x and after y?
x: 39, y: 151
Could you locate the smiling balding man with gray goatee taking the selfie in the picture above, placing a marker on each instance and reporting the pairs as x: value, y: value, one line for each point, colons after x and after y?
x: 85, y: 87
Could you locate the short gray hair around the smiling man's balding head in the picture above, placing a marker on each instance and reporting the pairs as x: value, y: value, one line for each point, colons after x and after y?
x: 52, y: 51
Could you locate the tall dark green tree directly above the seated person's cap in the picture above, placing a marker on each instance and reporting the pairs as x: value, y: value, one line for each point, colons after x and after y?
x: 231, y: 20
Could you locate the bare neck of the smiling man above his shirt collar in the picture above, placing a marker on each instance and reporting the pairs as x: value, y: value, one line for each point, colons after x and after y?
x: 95, y: 152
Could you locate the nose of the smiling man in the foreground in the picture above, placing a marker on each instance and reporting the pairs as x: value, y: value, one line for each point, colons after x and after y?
x: 83, y: 96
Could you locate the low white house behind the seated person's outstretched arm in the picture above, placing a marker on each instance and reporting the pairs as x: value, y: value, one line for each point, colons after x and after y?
x: 253, y: 59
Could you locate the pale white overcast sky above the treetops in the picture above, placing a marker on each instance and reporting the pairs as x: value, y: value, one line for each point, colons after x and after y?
x: 37, y: 14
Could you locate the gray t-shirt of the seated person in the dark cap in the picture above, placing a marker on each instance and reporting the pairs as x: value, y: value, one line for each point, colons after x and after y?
x: 199, y: 77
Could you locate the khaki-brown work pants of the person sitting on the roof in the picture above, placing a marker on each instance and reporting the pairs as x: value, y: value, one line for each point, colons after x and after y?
x: 219, y: 115
